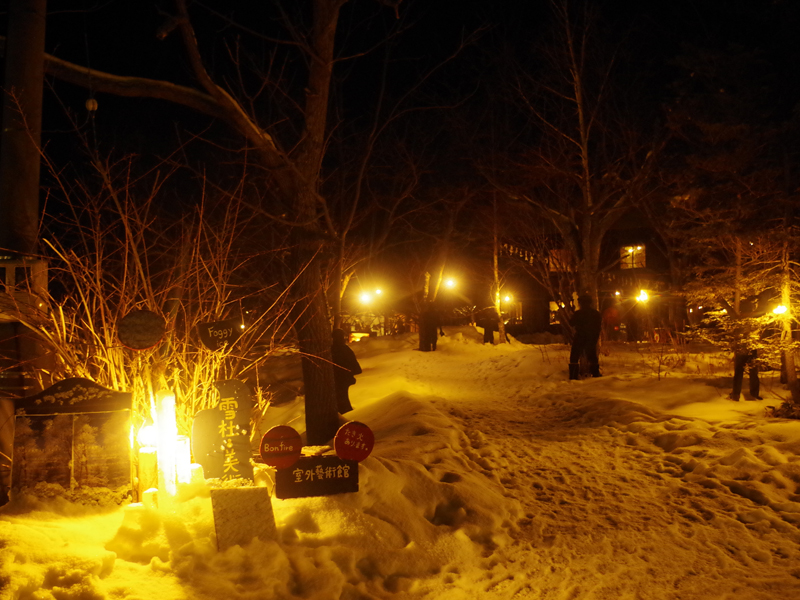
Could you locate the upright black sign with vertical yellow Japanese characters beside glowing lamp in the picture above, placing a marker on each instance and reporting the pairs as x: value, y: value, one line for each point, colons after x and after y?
x: 221, y: 435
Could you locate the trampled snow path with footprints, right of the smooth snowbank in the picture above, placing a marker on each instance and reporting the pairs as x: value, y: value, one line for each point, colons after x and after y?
x: 614, y: 504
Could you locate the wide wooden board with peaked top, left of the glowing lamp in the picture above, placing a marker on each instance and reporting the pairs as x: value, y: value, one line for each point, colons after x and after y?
x: 75, y: 433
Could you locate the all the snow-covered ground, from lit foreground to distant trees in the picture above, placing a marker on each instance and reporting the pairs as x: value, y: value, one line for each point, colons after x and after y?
x: 492, y: 477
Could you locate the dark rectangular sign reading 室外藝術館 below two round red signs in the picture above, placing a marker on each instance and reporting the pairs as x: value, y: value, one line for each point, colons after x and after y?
x: 317, y: 476
